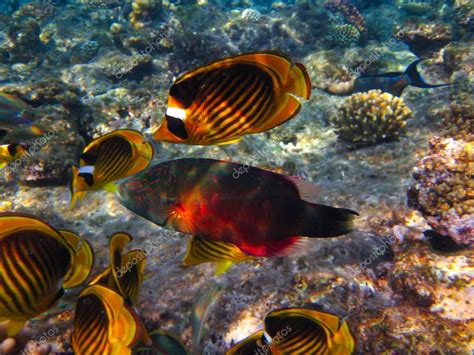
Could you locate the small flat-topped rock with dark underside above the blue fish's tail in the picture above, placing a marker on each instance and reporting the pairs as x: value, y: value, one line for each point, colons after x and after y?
x: 426, y: 39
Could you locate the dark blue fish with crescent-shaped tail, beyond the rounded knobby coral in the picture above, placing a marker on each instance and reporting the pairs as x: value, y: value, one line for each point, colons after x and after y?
x: 394, y: 82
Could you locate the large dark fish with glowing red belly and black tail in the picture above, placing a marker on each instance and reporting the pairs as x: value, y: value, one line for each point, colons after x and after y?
x: 263, y: 213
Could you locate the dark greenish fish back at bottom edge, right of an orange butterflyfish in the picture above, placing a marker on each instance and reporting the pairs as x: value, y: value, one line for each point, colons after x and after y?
x: 163, y: 343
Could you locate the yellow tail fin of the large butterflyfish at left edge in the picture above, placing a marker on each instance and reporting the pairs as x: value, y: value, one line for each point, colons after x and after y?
x: 81, y: 266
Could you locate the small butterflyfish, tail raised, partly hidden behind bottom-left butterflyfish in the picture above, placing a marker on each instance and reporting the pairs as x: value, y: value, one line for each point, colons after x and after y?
x: 126, y: 271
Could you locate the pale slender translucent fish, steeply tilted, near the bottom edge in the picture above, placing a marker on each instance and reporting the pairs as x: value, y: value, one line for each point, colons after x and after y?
x: 204, y: 302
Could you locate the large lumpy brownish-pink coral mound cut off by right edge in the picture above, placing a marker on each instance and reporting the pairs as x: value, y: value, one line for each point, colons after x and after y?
x: 444, y: 188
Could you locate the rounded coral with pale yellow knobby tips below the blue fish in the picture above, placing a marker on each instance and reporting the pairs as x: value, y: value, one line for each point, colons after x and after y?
x: 371, y: 118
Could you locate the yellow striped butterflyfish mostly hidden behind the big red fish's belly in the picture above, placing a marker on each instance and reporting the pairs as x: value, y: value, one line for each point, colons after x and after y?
x: 202, y: 250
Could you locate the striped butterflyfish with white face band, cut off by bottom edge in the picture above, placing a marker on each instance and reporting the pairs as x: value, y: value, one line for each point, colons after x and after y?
x: 298, y: 331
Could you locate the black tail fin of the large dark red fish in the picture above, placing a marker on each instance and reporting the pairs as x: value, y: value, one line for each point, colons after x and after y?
x: 330, y: 221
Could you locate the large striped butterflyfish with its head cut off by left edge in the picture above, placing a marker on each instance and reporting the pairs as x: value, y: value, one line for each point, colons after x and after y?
x: 37, y: 262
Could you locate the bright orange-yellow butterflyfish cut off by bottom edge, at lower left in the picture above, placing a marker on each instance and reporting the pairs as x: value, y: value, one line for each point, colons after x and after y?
x: 104, y: 323
